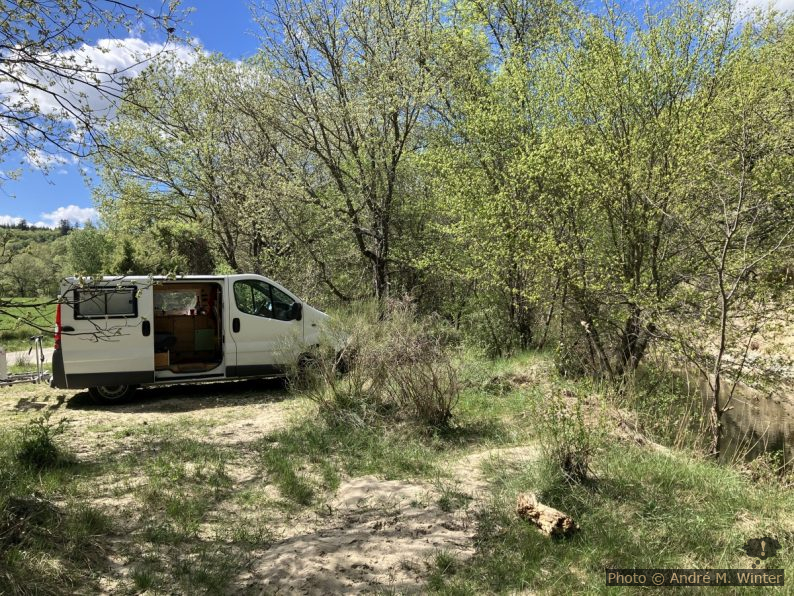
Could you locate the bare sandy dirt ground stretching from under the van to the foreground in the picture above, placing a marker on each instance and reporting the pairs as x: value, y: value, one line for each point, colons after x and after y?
x: 371, y: 535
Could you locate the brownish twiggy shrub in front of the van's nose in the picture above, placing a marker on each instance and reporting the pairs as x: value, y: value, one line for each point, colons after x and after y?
x: 392, y: 365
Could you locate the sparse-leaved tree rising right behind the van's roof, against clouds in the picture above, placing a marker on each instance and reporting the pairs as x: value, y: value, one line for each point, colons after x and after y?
x: 192, y: 159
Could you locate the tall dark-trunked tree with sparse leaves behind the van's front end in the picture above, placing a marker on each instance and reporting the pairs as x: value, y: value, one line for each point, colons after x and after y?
x: 348, y: 83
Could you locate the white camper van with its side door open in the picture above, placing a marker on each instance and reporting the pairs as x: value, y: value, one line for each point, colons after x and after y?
x: 116, y: 333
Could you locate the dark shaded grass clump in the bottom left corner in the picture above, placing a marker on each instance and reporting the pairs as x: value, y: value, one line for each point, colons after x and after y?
x: 49, y: 541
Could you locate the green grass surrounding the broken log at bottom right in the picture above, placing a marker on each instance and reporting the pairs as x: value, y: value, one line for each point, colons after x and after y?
x: 643, y: 509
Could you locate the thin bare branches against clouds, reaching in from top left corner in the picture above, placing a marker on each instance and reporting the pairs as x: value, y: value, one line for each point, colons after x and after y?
x: 50, y: 85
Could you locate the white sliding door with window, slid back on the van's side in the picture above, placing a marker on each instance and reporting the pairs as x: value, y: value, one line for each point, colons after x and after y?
x: 107, y: 334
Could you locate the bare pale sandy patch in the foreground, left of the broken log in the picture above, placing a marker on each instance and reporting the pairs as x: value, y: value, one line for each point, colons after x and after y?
x: 379, y: 535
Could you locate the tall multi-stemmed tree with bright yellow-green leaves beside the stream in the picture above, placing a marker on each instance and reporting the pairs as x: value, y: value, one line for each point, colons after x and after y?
x: 633, y: 94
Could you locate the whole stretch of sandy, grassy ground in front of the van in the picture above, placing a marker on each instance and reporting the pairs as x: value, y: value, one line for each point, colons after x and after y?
x: 242, y: 488
